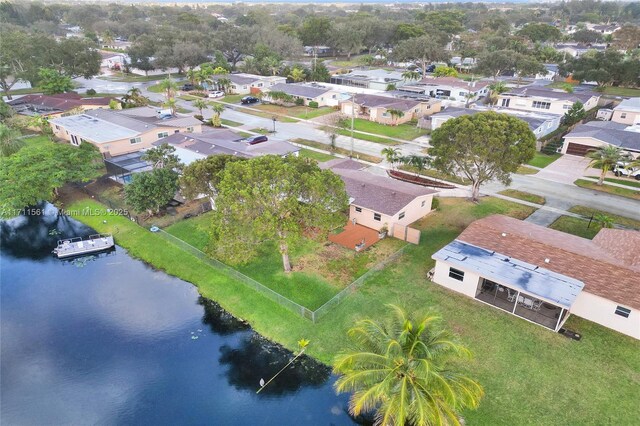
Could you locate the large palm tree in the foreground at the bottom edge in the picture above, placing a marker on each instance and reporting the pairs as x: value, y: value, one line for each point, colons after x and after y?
x: 405, y: 370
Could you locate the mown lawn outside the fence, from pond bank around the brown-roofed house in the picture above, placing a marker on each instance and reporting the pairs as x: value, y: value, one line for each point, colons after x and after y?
x: 530, y: 375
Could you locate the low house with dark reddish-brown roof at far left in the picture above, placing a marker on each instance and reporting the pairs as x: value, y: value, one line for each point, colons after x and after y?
x: 59, y: 105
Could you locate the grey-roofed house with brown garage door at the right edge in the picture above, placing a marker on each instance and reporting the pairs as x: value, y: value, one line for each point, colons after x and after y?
x: 594, y: 134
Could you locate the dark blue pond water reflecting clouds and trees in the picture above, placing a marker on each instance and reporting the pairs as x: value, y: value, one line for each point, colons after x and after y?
x: 110, y: 340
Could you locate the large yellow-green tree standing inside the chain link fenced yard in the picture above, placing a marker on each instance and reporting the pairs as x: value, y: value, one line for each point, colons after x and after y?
x: 274, y: 198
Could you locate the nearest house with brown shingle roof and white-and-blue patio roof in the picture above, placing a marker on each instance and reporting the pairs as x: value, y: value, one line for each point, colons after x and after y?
x: 543, y: 275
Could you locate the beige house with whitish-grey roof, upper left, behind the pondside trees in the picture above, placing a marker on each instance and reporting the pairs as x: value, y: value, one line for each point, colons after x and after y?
x: 121, y: 132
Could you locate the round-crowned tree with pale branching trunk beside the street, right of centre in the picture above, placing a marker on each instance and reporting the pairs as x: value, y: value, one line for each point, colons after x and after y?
x: 482, y: 147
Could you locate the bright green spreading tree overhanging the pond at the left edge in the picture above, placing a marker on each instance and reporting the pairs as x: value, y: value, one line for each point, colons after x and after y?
x: 35, y: 173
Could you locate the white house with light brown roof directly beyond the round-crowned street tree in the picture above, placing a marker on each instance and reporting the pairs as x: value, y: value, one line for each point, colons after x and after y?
x: 451, y: 88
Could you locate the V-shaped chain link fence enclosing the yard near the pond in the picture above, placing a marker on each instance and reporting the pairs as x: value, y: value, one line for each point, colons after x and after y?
x: 273, y: 295
